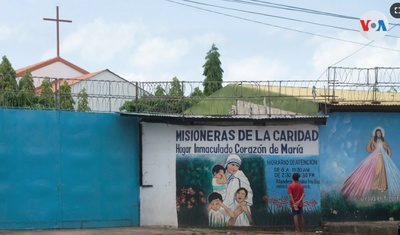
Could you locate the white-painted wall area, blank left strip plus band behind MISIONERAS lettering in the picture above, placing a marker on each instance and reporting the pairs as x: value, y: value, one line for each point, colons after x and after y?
x: 160, y: 151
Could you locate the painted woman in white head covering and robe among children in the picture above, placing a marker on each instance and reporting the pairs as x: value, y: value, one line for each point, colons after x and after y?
x: 236, y: 179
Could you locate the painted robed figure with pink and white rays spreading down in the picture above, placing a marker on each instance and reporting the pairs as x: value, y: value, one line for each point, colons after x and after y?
x: 376, y: 172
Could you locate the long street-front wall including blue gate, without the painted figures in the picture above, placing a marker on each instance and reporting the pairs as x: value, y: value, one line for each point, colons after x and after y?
x: 76, y: 170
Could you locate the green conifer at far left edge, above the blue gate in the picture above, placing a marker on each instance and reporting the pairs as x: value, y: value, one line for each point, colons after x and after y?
x: 8, y: 83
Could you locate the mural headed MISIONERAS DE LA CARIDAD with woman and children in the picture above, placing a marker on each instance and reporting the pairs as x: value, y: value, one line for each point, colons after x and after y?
x: 238, y: 176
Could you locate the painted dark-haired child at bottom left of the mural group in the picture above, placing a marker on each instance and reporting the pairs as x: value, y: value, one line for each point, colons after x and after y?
x: 218, y: 212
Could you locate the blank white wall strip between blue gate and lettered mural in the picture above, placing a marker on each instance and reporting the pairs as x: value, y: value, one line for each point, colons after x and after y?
x: 158, y: 203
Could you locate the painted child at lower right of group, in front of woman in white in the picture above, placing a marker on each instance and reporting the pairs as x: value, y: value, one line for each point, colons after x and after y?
x: 241, y: 210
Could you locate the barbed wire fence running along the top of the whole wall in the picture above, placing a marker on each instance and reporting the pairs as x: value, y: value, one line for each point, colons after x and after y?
x: 342, y: 86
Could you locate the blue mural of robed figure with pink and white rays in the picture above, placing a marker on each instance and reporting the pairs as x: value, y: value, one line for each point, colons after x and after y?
x: 360, y: 160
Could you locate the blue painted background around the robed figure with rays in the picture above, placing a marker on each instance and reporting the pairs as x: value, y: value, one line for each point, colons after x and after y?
x: 342, y: 150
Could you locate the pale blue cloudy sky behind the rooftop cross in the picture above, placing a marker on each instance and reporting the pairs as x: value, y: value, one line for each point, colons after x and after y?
x: 155, y: 40
